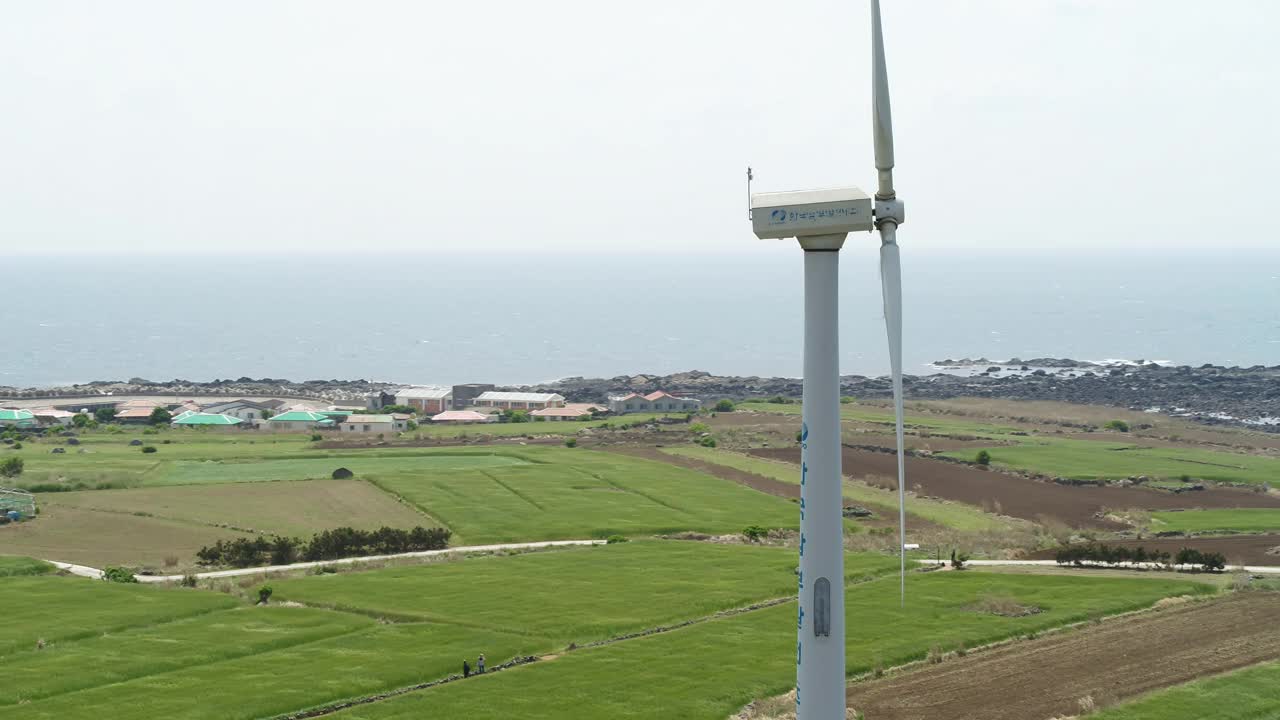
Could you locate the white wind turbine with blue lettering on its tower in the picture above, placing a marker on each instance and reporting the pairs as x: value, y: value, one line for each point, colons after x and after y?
x: 821, y: 220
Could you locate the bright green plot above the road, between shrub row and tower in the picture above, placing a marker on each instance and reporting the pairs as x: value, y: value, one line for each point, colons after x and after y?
x: 579, y: 494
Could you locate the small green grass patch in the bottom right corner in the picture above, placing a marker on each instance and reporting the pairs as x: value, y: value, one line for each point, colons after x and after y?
x: 1252, y: 694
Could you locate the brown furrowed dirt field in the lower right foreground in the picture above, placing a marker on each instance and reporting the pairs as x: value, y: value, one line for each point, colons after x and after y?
x: 1112, y: 662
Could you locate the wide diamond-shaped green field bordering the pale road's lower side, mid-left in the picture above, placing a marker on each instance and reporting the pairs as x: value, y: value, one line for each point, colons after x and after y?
x: 574, y: 595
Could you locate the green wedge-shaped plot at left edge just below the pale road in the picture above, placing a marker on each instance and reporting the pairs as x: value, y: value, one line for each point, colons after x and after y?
x: 65, y: 609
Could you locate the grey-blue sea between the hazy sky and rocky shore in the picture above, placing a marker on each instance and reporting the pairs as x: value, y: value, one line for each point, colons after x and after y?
x: 520, y: 320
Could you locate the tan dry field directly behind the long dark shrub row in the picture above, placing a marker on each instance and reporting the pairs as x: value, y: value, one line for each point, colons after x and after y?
x: 300, y: 508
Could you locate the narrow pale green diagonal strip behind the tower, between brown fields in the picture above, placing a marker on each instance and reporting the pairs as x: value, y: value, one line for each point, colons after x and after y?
x: 948, y: 514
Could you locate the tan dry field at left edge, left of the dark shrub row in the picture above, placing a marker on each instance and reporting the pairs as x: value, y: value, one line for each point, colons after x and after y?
x: 95, y: 539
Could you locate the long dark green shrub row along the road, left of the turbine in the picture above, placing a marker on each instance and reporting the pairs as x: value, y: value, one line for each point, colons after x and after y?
x: 330, y: 545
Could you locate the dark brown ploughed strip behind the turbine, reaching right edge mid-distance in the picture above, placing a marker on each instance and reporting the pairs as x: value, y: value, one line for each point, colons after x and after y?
x: 1021, y: 498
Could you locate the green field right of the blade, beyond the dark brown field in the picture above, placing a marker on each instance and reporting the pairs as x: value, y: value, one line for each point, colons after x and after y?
x: 1114, y: 461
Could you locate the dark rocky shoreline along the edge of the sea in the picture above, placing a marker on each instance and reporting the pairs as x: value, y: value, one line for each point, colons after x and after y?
x: 1209, y: 394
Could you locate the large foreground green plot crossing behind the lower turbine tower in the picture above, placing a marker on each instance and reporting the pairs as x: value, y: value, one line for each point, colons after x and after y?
x: 710, y: 671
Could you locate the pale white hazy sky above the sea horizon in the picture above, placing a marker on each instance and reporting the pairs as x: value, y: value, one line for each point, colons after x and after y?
x: 564, y: 127
